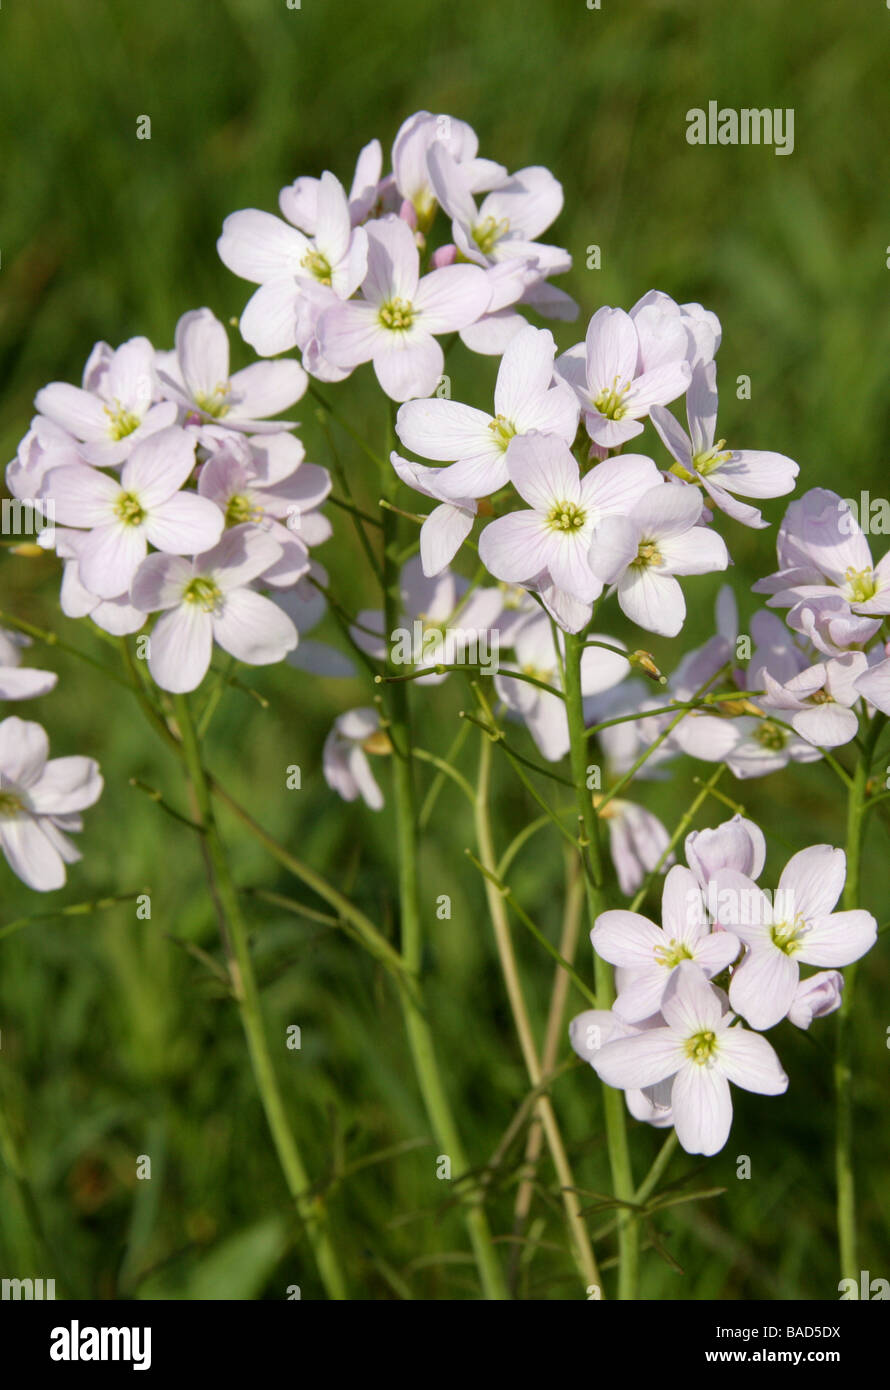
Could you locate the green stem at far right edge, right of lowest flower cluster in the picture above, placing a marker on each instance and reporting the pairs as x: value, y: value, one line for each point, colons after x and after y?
x: 843, y: 1058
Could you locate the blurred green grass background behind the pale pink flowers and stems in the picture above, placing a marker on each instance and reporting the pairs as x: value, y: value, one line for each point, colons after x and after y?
x: 115, y: 1039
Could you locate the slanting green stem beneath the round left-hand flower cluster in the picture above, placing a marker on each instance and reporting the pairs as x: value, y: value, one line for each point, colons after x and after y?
x: 311, y: 1207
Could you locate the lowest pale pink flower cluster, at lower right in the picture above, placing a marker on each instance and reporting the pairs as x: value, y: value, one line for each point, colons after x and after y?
x: 727, y: 954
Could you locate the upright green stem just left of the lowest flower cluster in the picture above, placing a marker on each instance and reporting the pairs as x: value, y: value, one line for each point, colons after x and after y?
x: 613, y: 1100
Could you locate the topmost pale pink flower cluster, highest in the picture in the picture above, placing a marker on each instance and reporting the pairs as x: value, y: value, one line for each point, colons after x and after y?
x: 340, y: 275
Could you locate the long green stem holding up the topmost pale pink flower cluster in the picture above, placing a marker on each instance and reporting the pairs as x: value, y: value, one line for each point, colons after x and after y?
x: 416, y: 1022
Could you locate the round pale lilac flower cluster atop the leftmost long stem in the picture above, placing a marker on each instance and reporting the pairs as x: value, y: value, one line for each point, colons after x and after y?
x: 172, y: 493
